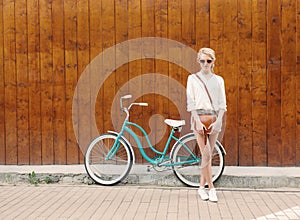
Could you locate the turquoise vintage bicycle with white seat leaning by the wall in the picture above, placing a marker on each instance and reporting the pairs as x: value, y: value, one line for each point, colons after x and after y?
x: 110, y: 156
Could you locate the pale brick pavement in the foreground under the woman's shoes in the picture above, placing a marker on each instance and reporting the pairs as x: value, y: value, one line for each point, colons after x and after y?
x: 136, y: 202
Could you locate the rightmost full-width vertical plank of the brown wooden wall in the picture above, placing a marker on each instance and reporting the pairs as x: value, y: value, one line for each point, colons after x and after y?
x: 288, y: 83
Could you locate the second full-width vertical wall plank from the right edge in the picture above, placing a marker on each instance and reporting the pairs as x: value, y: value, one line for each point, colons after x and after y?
x: 274, y: 83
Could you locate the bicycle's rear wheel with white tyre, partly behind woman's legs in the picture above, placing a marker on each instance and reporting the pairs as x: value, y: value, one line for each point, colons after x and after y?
x: 187, y: 171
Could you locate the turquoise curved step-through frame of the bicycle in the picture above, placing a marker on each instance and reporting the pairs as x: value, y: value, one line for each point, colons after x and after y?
x: 162, y: 155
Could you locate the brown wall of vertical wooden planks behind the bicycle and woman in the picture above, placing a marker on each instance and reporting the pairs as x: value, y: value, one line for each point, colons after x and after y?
x: 46, y: 45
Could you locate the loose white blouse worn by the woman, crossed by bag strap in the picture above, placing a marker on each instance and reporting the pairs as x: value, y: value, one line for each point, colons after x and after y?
x: 197, y: 97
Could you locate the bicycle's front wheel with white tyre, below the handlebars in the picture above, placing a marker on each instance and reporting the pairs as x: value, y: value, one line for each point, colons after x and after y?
x: 105, y: 165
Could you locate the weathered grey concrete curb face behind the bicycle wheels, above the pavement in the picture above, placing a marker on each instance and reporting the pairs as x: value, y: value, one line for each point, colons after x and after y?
x: 157, y: 179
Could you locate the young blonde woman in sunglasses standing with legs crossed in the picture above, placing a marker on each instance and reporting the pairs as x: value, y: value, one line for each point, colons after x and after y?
x: 199, y: 103
